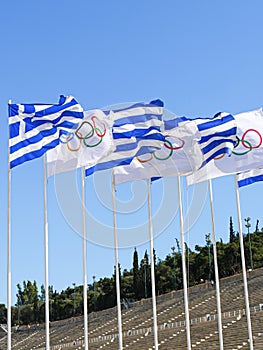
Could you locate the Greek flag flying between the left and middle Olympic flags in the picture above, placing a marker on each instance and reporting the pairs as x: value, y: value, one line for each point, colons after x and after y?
x: 136, y: 131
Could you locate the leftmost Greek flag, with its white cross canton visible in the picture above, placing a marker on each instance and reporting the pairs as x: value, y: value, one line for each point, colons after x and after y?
x: 36, y: 128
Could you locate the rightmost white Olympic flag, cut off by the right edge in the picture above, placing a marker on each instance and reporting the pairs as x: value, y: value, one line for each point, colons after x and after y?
x: 246, y: 155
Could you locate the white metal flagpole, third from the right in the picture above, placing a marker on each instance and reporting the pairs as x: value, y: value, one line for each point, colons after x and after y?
x: 187, y: 320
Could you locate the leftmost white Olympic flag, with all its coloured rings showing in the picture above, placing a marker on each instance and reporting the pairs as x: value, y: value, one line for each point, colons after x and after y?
x: 90, y: 142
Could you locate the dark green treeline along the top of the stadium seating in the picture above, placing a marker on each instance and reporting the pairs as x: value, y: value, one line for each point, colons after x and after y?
x: 136, y: 283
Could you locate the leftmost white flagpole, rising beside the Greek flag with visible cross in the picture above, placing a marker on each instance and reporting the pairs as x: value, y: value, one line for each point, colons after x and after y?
x: 8, y: 243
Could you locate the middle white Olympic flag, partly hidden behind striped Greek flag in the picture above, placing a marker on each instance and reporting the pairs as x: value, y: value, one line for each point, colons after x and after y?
x: 180, y: 155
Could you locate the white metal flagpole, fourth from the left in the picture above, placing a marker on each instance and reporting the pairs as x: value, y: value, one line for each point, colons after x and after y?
x: 116, y: 263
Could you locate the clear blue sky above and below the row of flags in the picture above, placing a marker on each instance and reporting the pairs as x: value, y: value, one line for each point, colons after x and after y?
x: 199, y: 57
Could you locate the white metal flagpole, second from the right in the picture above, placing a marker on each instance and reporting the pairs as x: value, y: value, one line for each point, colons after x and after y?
x: 219, y: 316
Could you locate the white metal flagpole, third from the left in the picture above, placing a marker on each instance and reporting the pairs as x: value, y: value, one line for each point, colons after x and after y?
x: 84, y: 252
